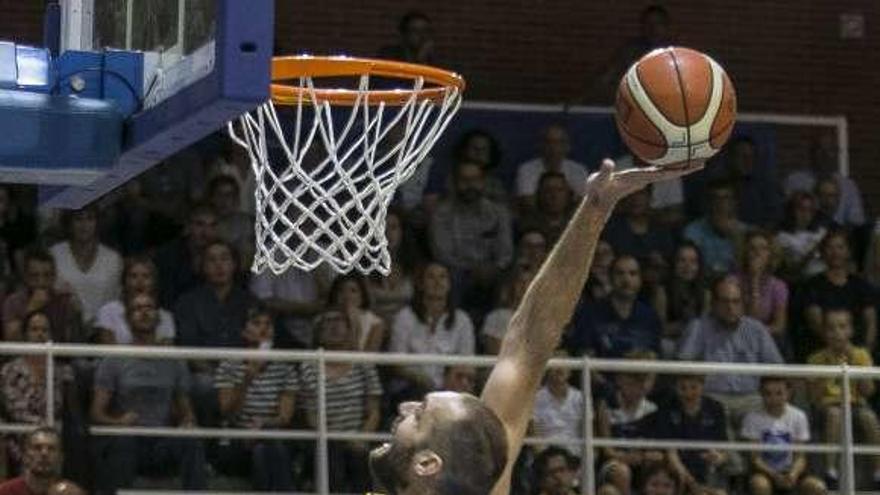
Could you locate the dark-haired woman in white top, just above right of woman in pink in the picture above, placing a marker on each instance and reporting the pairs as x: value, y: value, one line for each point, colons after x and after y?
x: 799, y: 237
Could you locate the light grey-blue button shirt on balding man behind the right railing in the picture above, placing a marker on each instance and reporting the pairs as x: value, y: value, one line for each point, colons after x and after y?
x: 750, y: 342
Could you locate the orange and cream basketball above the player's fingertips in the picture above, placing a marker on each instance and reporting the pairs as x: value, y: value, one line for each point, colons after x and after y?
x: 675, y: 105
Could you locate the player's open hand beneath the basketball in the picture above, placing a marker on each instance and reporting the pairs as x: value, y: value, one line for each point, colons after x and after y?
x: 606, y: 187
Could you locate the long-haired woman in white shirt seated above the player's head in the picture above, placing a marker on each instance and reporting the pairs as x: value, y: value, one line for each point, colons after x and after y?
x: 430, y: 325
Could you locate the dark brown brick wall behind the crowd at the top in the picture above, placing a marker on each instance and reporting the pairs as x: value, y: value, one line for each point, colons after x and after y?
x: 784, y: 55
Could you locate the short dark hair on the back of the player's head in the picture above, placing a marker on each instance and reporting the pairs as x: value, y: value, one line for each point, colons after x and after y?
x: 473, y: 448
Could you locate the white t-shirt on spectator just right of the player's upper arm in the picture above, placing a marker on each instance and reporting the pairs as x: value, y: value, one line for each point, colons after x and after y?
x: 559, y: 419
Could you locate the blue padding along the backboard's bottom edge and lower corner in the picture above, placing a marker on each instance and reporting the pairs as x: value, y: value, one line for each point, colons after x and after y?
x: 239, y: 82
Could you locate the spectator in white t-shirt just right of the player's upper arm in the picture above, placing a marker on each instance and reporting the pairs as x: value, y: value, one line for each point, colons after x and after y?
x: 559, y: 408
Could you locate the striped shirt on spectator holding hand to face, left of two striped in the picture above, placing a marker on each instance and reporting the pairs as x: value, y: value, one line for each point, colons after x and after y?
x: 263, y: 394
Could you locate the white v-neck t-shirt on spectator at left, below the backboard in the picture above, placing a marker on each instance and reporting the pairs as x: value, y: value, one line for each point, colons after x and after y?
x: 95, y: 287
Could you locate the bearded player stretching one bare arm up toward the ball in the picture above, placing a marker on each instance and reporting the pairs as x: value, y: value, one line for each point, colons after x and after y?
x: 453, y: 443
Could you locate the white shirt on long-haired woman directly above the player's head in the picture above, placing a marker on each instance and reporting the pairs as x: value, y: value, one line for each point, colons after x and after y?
x: 411, y: 336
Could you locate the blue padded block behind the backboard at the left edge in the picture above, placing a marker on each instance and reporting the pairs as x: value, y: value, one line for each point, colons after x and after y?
x: 56, y: 139
